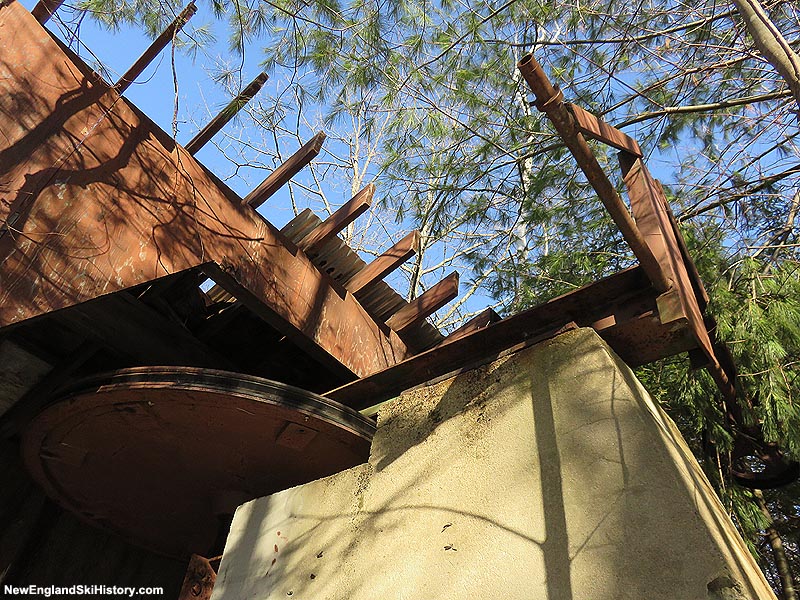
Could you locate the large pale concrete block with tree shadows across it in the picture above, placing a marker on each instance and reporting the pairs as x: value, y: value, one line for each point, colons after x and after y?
x: 549, y: 474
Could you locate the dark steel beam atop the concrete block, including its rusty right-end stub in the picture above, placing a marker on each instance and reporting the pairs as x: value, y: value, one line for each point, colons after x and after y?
x: 622, y: 308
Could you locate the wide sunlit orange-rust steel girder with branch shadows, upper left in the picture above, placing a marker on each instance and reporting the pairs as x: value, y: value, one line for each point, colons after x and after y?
x: 169, y: 215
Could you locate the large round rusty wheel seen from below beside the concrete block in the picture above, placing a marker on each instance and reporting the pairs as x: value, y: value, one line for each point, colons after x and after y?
x: 158, y: 454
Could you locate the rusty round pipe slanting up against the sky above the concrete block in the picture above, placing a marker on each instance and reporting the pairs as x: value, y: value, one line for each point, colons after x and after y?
x: 550, y: 101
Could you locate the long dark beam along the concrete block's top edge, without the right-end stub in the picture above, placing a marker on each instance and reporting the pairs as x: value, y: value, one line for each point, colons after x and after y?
x: 583, y: 306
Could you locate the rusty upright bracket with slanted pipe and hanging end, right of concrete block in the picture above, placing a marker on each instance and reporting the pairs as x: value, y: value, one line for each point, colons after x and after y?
x: 656, y: 241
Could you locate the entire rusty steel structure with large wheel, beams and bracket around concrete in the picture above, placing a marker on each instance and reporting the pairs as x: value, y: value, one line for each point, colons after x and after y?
x: 146, y: 407
